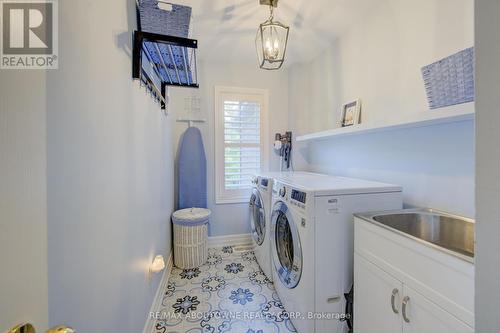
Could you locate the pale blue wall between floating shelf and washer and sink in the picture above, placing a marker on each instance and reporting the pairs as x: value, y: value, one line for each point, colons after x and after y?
x: 435, y: 165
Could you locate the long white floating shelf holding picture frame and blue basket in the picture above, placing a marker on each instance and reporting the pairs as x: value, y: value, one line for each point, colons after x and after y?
x: 451, y: 114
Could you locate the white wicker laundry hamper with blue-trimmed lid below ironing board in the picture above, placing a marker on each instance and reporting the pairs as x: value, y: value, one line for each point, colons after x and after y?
x: 190, y: 237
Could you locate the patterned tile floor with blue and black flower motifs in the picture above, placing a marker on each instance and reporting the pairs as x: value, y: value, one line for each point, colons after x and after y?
x: 230, y: 293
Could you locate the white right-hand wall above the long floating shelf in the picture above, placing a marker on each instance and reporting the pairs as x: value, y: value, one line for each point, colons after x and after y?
x: 380, y: 58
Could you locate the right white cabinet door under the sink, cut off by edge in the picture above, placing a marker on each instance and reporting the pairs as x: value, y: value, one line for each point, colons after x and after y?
x: 425, y: 316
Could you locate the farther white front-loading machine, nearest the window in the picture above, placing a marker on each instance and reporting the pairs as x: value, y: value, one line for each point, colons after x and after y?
x: 260, y: 215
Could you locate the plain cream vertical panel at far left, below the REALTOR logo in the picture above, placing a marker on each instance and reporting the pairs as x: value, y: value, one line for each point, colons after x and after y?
x: 23, y: 198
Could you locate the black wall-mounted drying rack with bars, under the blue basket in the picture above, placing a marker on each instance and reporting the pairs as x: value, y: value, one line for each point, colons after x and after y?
x: 162, y: 60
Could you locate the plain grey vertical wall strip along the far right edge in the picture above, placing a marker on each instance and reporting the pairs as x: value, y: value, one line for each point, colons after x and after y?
x: 487, y: 166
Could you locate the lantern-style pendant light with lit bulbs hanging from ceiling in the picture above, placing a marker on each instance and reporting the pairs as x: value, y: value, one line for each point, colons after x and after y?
x: 271, y: 40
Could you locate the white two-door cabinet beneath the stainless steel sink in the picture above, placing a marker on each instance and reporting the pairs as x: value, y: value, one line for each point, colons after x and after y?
x: 404, y: 286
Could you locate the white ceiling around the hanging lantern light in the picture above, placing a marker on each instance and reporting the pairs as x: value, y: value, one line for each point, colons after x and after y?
x: 226, y: 29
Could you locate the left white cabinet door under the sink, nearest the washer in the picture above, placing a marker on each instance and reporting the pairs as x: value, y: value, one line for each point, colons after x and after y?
x: 373, y: 294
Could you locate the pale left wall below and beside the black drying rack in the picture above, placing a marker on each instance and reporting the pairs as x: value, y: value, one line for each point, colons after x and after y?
x: 110, y: 174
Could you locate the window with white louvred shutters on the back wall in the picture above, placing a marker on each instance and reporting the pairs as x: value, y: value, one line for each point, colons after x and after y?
x: 240, y: 141
